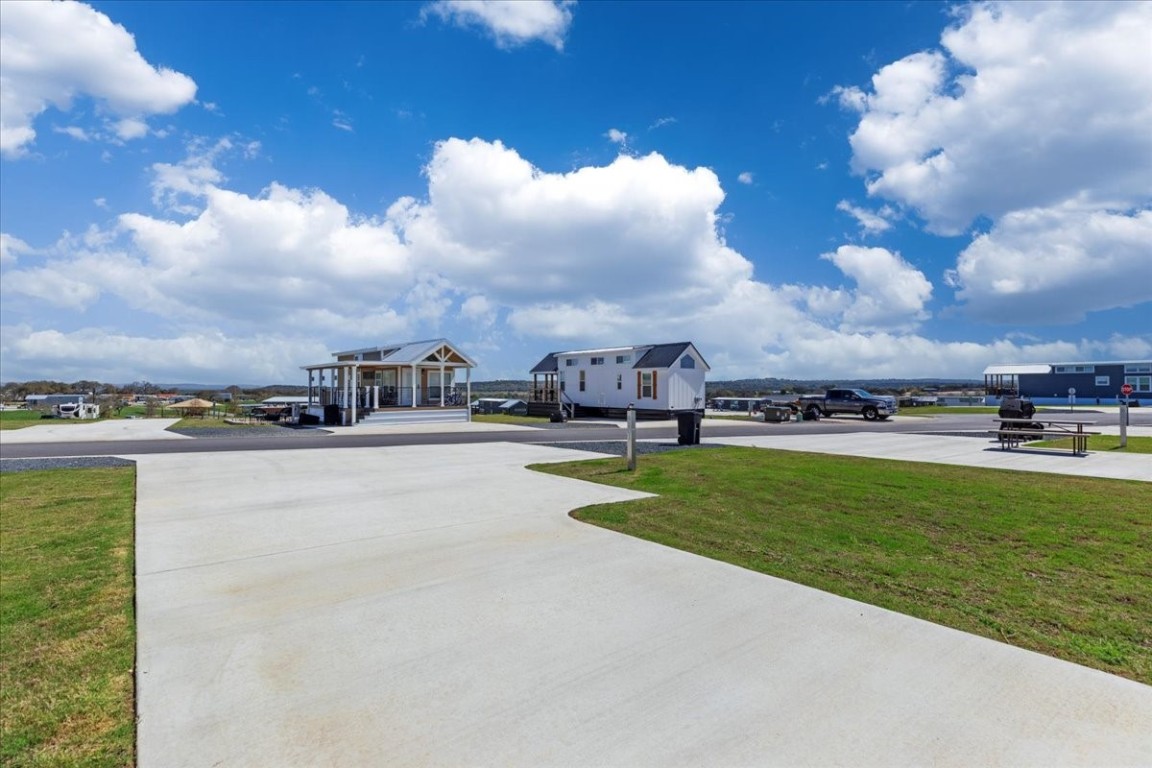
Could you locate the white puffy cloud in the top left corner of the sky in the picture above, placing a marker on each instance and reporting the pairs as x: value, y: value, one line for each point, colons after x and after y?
x: 54, y: 52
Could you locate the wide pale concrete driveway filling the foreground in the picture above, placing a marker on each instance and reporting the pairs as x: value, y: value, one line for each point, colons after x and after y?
x: 434, y: 606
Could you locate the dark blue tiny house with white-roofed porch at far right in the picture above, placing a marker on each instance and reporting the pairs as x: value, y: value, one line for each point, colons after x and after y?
x: 1054, y: 383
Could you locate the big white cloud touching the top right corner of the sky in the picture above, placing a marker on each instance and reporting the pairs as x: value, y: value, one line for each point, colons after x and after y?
x: 1027, y: 105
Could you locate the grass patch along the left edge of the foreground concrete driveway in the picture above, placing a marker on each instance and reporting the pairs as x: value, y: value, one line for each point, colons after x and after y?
x: 67, y: 625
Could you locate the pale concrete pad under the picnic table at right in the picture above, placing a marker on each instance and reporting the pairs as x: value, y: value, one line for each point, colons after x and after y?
x: 966, y: 452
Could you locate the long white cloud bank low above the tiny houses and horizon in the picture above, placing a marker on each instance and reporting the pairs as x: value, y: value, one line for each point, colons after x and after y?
x: 236, y: 287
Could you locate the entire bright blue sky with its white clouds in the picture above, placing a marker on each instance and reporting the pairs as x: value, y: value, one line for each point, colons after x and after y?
x: 223, y: 193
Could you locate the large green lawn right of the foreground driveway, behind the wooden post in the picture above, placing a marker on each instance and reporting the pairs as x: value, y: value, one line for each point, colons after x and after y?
x: 1052, y: 564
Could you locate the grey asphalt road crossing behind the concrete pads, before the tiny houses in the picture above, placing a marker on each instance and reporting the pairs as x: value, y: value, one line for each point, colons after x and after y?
x: 713, y: 428
